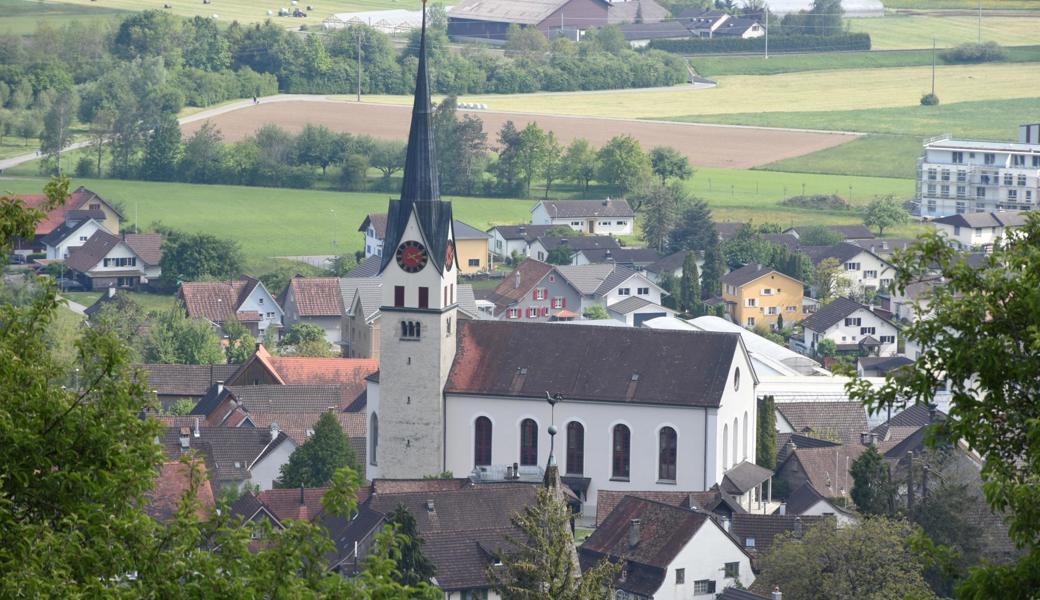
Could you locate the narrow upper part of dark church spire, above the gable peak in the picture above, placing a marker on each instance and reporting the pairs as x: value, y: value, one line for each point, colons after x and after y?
x: 422, y: 181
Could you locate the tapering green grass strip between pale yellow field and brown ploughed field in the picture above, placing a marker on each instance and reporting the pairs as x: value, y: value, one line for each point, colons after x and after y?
x: 987, y: 120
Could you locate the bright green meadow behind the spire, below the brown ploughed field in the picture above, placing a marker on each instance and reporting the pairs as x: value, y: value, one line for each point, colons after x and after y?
x: 269, y: 222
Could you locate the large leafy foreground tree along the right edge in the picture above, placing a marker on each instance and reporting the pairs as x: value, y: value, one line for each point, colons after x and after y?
x: 981, y: 335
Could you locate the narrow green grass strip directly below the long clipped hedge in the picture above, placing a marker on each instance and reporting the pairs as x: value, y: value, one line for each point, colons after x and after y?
x: 717, y: 66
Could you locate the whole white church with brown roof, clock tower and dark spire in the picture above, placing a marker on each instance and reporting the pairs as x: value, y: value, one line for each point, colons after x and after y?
x: 633, y: 410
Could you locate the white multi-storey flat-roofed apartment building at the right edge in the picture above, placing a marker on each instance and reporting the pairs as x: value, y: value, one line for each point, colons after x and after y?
x: 956, y: 176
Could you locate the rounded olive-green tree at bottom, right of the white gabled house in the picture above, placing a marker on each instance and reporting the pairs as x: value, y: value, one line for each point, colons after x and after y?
x: 872, y: 561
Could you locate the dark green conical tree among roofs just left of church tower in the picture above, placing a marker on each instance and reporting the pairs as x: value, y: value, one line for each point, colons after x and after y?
x: 314, y: 464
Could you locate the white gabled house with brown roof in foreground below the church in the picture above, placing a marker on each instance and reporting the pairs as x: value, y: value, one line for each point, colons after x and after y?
x: 667, y: 552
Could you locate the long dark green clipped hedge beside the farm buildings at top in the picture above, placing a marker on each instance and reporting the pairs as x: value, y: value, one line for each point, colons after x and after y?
x: 844, y: 42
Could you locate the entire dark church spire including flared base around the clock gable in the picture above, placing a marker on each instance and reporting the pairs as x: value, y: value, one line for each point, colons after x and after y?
x: 421, y: 195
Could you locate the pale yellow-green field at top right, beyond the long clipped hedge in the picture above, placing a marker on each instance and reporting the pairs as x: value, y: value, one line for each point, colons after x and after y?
x: 899, y: 32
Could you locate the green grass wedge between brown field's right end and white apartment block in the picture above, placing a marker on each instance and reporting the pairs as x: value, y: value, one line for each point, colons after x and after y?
x: 873, y: 155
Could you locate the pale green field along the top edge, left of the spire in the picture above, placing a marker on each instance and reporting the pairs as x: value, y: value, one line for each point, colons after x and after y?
x: 228, y: 11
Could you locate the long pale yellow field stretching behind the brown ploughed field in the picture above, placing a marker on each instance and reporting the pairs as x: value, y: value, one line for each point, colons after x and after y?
x: 849, y: 90
